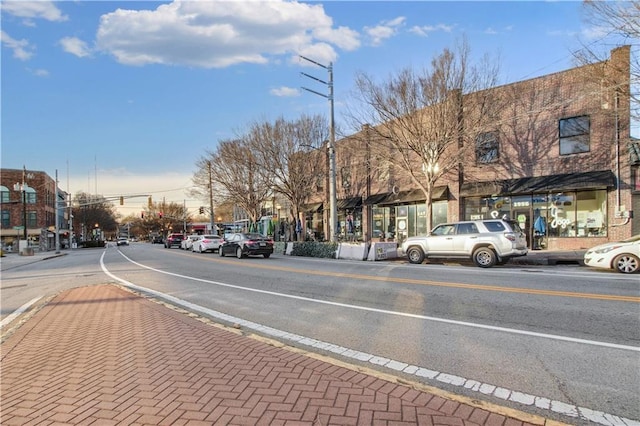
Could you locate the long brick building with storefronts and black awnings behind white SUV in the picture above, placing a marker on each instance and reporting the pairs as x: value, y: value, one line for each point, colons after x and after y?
x: 559, y: 159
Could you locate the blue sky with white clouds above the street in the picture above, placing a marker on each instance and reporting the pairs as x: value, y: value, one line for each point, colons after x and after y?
x: 121, y: 98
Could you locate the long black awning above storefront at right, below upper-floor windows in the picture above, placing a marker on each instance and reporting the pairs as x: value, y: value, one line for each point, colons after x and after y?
x: 551, y: 183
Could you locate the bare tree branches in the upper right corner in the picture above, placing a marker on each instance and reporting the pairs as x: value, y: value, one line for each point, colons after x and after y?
x: 616, y: 22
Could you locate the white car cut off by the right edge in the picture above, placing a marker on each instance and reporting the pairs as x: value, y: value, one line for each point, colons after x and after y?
x: 622, y: 256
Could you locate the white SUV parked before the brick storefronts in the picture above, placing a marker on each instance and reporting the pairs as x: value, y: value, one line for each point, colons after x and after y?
x: 486, y: 242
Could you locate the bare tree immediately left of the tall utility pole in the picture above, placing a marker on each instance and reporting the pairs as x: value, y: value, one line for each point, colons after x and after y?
x: 291, y: 151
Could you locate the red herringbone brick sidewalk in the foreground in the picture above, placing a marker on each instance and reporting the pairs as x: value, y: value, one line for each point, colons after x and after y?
x: 102, y: 355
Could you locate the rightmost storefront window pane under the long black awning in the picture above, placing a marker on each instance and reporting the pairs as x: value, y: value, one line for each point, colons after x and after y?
x: 591, y: 213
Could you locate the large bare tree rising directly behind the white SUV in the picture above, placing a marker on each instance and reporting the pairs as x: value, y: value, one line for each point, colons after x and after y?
x: 418, y: 120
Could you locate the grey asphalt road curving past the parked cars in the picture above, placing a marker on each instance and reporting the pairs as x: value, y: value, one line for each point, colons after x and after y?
x: 557, y: 334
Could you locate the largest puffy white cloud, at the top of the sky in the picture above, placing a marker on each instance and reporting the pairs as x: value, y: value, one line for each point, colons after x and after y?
x: 217, y: 34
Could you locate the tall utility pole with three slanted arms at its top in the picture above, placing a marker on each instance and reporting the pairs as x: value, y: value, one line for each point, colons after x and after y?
x: 333, y: 209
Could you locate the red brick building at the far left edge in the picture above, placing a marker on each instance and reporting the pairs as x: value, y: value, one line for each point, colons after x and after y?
x: 30, y: 196
